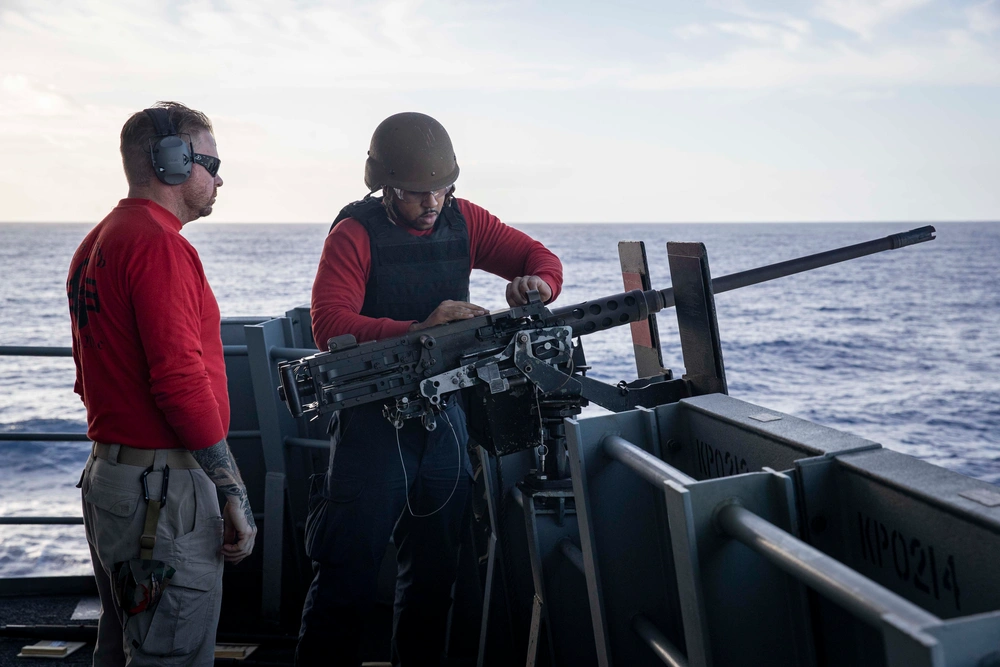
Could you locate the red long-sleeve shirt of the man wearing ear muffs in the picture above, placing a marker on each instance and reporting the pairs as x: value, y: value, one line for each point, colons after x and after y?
x: 149, y: 362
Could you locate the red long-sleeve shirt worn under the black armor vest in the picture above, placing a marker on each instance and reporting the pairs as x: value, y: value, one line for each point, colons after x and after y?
x: 339, y: 289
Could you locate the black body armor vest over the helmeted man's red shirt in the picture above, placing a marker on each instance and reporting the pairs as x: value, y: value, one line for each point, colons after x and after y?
x: 411, y: 275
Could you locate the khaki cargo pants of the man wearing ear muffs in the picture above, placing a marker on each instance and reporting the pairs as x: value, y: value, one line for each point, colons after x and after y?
x: 180, y: 630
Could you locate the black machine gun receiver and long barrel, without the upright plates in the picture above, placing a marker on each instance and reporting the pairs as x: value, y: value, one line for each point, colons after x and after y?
x: 525, y: 345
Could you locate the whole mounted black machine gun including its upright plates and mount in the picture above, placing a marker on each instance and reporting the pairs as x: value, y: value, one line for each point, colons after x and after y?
x: 521, y: 369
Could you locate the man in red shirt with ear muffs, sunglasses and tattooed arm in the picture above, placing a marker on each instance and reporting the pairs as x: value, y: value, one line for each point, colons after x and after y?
x: 150, y: 369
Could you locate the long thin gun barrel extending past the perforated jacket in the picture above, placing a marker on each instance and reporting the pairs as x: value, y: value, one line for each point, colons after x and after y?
x: 810, y: 262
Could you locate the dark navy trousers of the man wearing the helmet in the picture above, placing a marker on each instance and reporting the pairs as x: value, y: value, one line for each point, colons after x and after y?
x: 356, y: 507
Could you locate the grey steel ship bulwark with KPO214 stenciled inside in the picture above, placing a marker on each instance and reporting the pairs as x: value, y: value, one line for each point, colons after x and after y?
x: 728, y: 530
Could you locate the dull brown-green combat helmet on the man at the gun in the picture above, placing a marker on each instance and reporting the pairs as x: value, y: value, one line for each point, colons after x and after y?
x: 411, y: 151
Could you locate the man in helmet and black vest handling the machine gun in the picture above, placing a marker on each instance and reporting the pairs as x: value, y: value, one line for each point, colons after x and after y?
x: 392, y: 264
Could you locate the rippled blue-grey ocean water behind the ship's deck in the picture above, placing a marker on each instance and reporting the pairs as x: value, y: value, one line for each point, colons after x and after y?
x: 902, y: 347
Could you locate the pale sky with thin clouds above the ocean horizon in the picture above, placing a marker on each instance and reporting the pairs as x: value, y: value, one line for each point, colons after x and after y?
x: 560, y: 111
